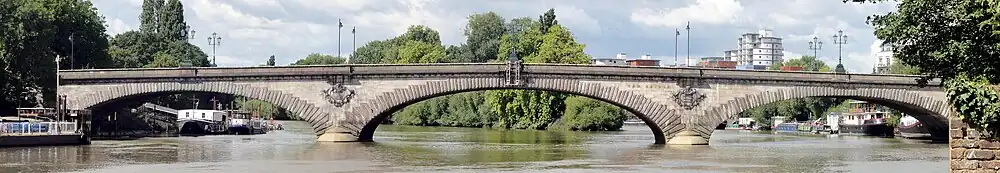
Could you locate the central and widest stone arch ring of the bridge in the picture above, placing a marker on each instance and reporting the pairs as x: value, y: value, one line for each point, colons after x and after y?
x: 366, y: 117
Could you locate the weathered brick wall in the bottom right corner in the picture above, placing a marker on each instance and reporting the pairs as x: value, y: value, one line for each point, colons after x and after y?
x: 969, y: 153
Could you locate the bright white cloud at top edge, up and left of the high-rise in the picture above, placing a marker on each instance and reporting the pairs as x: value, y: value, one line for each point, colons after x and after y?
x: 703, y: 12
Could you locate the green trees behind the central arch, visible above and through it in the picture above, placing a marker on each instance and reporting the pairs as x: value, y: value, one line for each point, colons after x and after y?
x: 516, y: 109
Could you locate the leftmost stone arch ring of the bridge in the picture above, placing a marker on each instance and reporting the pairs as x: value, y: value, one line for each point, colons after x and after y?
x: 315, y: 116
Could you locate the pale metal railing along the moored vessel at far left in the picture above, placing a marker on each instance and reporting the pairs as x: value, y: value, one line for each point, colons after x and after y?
x: 38, y: 128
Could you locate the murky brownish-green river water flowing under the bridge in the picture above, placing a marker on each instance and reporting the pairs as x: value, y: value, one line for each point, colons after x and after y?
x: 441, y: 149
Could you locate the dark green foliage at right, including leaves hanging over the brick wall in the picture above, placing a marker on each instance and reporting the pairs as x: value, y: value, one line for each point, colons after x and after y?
x: 950, y: 39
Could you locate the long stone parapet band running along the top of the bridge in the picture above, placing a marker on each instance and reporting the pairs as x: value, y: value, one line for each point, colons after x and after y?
x: 71, y: 76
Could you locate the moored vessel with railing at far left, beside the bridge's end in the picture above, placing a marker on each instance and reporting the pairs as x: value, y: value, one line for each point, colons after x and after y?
x: 43, y: 126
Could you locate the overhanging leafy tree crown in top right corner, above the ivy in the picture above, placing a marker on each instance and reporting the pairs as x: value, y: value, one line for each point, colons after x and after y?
x: 943, y: 38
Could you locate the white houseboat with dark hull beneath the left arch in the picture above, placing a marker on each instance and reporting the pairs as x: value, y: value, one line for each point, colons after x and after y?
x: 196, y: 122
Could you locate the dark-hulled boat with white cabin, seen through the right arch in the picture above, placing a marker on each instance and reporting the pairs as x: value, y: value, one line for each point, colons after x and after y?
x: 865, y: 119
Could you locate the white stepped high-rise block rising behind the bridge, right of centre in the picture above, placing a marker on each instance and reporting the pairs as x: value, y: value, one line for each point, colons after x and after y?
x: 758, y: 50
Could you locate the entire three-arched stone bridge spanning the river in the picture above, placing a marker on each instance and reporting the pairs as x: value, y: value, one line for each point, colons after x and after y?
x: 347, y: 102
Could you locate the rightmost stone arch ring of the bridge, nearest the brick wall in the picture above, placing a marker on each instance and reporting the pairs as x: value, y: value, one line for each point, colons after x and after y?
x: 927, y: 109
